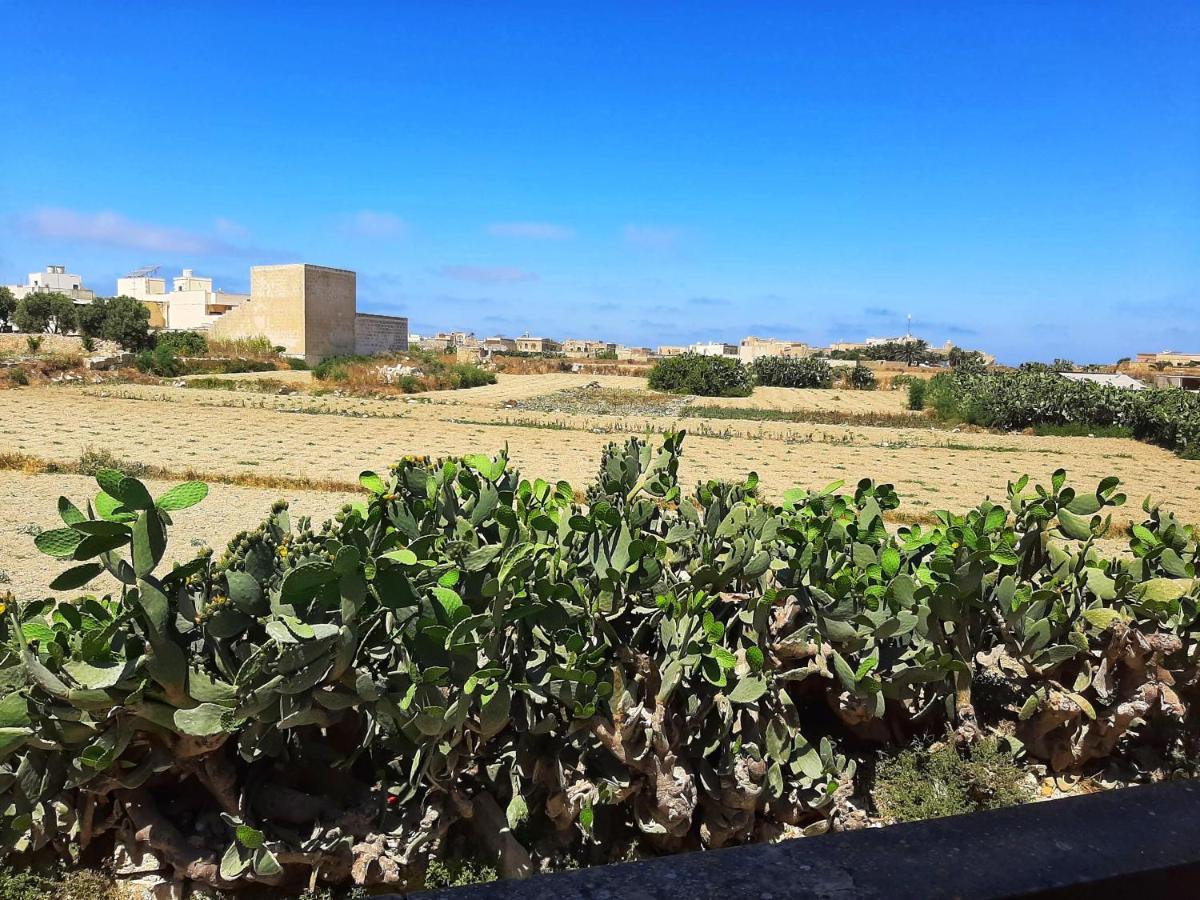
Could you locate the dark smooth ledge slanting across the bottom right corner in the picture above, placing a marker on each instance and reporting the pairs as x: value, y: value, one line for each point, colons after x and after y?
x: 1139, y: 843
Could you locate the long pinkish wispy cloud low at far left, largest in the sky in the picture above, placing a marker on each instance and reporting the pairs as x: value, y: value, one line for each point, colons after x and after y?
x: 113, y: 230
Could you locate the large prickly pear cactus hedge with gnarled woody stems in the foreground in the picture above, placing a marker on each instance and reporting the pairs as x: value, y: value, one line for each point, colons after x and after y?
x: 466, y: 652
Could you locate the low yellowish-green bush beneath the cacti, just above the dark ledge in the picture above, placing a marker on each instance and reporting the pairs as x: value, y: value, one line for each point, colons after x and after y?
x: 949, y: 781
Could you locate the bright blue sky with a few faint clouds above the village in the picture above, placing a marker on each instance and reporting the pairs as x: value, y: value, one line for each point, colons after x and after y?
x: 1022, y: 177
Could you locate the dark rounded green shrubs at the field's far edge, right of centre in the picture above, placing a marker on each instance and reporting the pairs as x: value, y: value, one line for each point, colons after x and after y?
x: 728, y: 377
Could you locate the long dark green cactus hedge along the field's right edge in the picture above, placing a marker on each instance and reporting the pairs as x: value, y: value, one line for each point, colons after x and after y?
x: 1010, y: 401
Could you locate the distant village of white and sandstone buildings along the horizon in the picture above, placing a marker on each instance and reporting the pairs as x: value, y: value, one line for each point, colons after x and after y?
x: 311, y: 311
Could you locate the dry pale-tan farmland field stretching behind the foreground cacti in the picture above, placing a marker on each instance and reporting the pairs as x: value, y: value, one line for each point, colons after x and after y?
x: 256, y: 443
